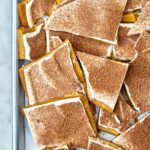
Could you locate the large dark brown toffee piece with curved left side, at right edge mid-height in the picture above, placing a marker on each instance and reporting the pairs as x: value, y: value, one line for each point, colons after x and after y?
x: 137, y: 82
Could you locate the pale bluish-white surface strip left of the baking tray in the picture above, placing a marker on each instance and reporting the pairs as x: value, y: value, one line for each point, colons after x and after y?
x: 5, y: 76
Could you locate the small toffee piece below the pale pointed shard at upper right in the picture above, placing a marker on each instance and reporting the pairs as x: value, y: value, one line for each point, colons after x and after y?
x: 125, y: 49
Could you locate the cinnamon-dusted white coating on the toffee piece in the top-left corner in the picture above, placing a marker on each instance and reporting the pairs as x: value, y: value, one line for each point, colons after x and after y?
x: 35, y: 9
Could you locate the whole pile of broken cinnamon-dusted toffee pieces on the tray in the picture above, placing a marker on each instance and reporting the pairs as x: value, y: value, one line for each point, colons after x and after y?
x: 86, y: 55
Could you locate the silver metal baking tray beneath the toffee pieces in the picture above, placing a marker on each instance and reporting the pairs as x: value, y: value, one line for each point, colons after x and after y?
x: 22, y: 139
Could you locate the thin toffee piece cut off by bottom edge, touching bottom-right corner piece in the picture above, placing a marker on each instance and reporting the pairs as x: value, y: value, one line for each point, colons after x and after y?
x: 100, y: 144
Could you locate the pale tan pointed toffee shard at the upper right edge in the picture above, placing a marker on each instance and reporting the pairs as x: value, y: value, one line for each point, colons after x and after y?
x: 143, y: 22
